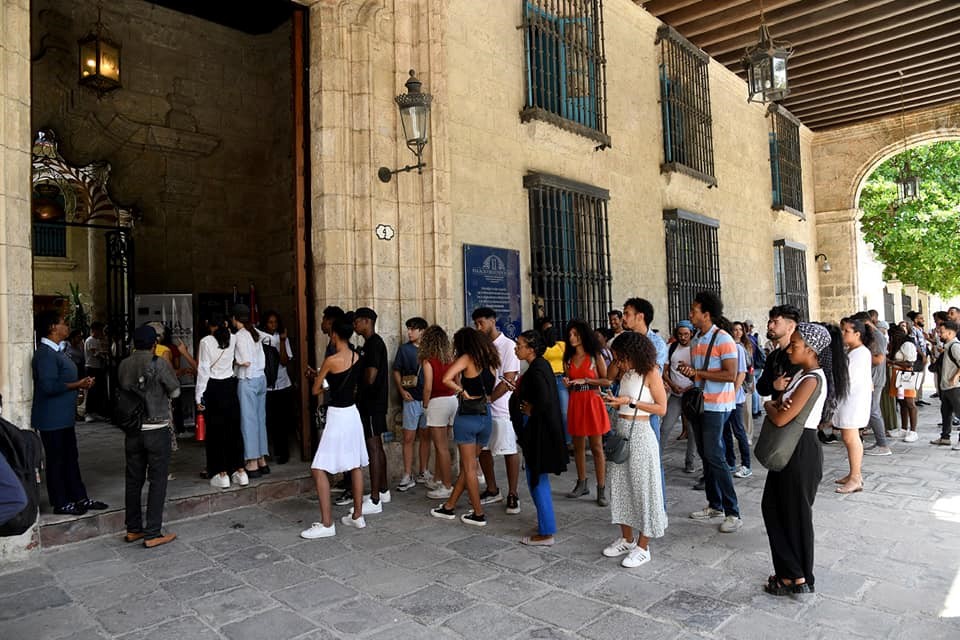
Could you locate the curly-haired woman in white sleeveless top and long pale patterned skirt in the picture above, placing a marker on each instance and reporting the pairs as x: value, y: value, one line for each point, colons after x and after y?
x: 636, y: 492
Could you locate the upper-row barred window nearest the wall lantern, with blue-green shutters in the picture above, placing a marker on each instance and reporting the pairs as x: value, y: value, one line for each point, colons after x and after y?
x: 563, y: 43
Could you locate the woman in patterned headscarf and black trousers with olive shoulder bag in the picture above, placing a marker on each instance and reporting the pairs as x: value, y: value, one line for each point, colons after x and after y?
x: 788, y: 494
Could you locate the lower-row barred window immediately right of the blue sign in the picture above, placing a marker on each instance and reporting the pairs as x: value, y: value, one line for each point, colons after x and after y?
x: 569, y: 249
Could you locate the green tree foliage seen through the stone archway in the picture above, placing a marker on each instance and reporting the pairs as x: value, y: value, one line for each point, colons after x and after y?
x: 917, y: 241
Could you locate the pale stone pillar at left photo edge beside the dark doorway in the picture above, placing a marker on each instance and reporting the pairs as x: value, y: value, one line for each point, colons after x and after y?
x: 16, y: 275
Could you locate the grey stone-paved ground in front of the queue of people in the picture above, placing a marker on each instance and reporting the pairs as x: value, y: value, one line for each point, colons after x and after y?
x: 887, y: 567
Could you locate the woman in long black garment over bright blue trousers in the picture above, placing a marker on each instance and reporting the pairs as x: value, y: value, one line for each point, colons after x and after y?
x: 536, y: 417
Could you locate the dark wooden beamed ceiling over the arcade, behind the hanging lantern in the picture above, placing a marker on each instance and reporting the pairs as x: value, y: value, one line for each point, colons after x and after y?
x: 848, y: 54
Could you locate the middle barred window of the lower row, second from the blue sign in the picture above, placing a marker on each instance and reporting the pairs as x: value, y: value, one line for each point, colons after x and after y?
x: 693, y: 259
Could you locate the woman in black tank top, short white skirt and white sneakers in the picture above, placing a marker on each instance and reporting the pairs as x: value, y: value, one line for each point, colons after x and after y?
x: 342, y: 446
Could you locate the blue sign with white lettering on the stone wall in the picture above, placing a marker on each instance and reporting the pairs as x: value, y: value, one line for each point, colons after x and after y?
x: 491, y: 278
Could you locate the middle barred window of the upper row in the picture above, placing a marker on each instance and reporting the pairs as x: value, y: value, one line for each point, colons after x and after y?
x: 685, y: 107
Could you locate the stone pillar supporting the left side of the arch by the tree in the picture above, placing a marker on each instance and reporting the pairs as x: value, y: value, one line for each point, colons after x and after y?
x: 837, y: 239
